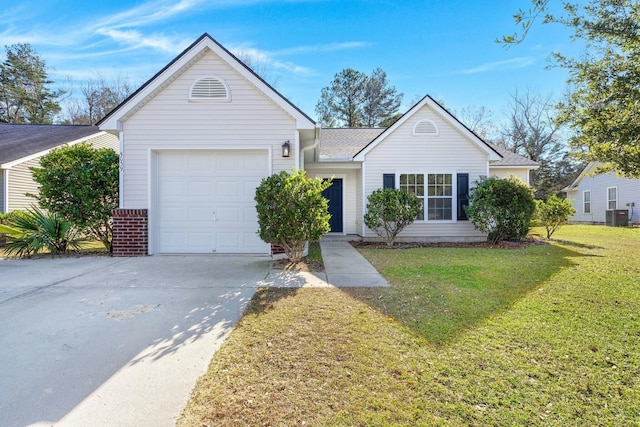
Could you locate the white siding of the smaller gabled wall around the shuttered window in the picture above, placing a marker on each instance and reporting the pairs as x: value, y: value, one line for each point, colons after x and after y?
x: 449, y: 152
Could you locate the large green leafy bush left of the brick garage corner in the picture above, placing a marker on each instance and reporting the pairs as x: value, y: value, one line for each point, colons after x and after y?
x: 81, y: 184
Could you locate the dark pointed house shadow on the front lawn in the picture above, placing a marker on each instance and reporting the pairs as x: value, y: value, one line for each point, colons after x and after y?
x: 440, y: 292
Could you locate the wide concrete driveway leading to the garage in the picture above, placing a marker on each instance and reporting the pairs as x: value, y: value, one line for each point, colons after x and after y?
x: 114, y: 341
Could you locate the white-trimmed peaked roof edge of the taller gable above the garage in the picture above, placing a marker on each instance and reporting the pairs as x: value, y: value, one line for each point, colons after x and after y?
x: 179, y: 64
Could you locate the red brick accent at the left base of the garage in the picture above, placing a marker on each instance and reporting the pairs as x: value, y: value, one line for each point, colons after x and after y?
x: 130, y: 232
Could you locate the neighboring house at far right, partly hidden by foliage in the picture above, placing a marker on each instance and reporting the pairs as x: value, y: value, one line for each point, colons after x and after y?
x: 592, y: 195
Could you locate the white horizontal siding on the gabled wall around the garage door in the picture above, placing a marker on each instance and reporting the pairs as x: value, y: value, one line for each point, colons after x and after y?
x: 170, y: 121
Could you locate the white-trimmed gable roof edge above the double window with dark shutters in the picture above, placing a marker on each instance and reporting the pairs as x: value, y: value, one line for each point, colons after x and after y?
x: 446, y: 115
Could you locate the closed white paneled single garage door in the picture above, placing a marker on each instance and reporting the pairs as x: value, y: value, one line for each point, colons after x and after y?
x: 205, y: 201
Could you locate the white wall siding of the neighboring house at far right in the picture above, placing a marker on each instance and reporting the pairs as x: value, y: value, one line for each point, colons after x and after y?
x: 628, y: 192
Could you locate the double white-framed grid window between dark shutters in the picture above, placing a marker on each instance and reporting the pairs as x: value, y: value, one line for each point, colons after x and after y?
x: 437, y: 200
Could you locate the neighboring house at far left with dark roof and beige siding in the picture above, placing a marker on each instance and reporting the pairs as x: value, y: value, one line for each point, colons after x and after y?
x: 22, y: 145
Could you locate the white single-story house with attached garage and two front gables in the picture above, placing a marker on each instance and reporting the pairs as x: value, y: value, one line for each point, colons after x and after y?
x: 198, y: 137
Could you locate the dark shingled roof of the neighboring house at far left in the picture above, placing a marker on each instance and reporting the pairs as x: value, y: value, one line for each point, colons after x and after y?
x: 18, y: 141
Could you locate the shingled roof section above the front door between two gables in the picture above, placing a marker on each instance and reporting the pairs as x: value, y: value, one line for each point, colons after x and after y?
x: 341, y: 144
